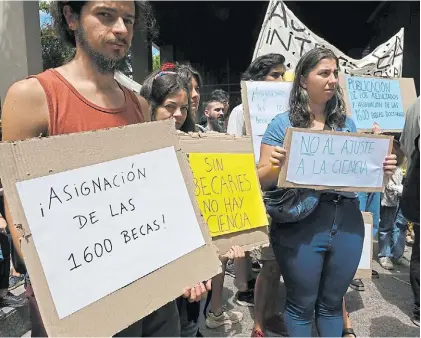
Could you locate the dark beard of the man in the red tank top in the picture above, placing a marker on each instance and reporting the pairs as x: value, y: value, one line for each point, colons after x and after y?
x: 104, y: 64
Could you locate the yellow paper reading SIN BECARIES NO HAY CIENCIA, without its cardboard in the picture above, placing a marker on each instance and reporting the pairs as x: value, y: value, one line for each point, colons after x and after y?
x: 228, y: 192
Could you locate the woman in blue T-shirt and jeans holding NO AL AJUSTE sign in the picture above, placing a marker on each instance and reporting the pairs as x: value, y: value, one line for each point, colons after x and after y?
x: 318, y: 255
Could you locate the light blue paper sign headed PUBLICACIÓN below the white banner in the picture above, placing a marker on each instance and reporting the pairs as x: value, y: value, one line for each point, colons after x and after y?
x: 375, y: 100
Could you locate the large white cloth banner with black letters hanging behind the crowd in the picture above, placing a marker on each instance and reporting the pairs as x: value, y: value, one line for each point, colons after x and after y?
x: 283, y: 33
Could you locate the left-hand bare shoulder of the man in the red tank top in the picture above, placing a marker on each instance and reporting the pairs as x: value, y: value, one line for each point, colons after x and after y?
x: 25, y: 111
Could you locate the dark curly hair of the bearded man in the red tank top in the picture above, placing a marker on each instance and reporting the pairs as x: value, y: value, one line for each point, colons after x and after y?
x: 143, y: 13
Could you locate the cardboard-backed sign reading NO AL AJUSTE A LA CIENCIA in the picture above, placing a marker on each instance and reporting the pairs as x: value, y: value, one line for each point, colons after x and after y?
x: 334, y: 160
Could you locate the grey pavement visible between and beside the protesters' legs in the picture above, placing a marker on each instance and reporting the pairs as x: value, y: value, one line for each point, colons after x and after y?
x: 382, y: 310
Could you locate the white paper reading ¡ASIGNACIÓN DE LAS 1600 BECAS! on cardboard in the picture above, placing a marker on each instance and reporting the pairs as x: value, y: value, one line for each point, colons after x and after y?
x: 113, y: 216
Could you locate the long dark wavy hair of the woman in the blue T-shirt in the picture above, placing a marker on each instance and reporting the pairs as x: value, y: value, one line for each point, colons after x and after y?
x: 300, y: 114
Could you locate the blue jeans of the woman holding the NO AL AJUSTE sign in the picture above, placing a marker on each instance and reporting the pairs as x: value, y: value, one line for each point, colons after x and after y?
x: 318, y: 257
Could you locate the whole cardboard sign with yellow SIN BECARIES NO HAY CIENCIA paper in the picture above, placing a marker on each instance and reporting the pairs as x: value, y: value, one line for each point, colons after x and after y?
x: 227, y: 189
